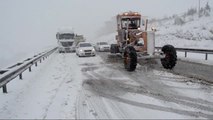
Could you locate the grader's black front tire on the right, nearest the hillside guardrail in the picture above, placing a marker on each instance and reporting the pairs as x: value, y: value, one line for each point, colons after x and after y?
x: 170, y: 57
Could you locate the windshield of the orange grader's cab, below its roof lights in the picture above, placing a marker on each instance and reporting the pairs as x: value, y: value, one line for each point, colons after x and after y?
x: 132, y: 23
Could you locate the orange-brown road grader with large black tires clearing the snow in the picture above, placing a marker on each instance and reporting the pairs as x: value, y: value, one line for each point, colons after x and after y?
x: 135, y: 43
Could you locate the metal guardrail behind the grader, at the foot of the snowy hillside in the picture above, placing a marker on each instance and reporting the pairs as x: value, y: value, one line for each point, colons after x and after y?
x: 188, y: 50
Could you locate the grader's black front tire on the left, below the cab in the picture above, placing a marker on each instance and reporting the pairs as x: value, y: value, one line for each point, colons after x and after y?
x: 130, y: 58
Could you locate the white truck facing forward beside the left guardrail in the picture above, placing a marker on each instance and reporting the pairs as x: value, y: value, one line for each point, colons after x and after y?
x: 65, y: 41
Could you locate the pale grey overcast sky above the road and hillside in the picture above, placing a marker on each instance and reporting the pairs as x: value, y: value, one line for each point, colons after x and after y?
x: 36, y: 21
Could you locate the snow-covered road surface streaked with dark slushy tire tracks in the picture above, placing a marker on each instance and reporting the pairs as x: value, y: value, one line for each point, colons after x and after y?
x: 66, y: 86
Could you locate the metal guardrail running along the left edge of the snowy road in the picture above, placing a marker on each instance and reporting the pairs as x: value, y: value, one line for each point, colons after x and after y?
x: 12, y: 72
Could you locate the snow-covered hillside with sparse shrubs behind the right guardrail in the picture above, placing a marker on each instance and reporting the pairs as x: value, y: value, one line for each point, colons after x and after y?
x: 195, y: 32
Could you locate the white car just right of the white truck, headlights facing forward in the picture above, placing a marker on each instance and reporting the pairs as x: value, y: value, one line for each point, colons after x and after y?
x: 85, y: 49
